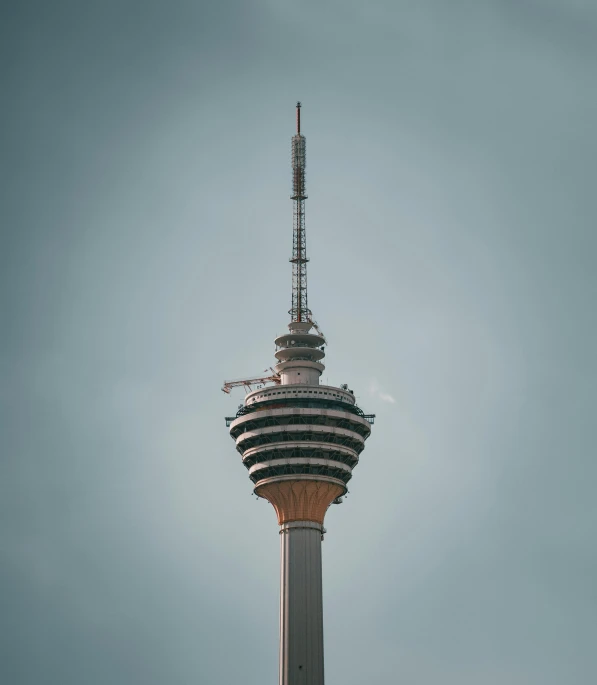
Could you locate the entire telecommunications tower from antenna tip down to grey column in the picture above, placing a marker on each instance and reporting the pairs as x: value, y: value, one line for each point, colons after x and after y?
x: 300, y: 442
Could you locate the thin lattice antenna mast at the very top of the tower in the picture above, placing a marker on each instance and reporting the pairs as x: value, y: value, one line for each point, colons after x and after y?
x: 300, y: 311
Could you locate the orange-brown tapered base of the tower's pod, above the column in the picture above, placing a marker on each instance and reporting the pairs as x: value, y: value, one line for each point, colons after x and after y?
x: 300, y: 500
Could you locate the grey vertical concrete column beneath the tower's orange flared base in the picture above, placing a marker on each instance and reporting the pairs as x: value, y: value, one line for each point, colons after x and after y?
x: 301, y: 604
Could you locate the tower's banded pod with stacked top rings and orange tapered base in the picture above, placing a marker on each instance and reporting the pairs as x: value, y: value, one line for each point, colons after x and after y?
x: 300, y: 440
